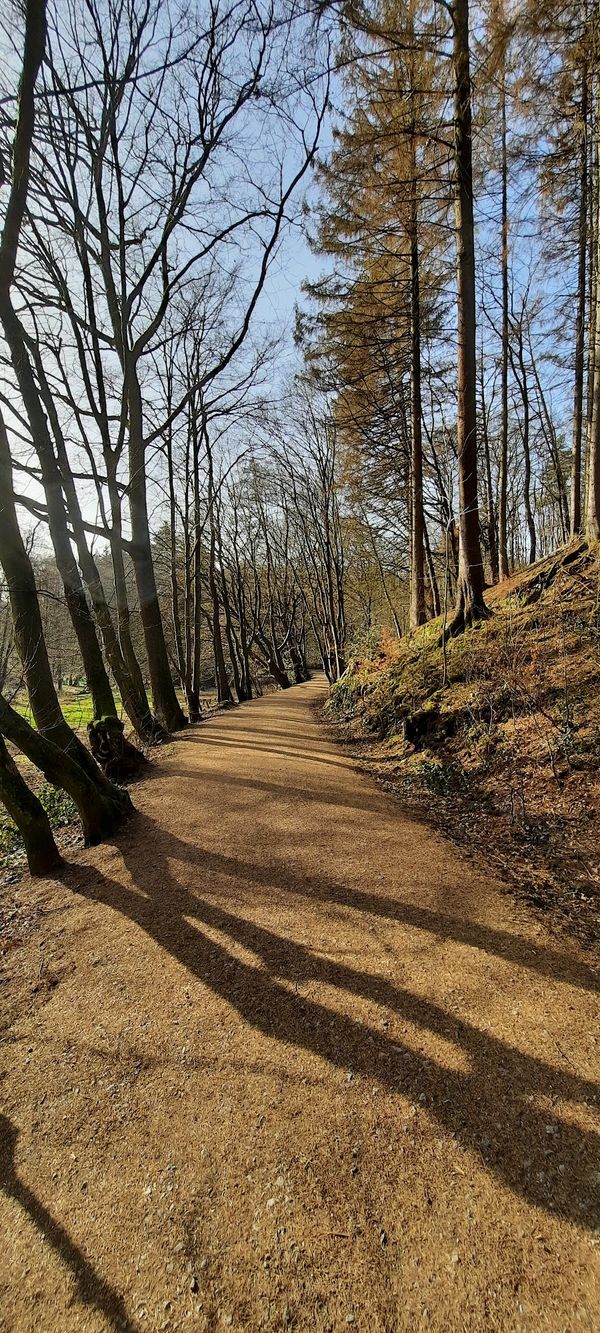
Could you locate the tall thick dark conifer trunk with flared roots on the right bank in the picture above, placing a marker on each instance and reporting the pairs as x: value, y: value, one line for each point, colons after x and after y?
x: 471, y: 605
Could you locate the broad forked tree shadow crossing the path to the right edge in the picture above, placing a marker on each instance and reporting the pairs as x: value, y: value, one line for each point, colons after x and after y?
x: 490, y: 1110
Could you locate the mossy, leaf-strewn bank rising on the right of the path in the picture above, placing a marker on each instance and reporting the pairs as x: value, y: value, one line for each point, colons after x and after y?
x: 505, y: 758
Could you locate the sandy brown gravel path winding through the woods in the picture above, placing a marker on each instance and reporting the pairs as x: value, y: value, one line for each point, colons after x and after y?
x: 285, y: 1063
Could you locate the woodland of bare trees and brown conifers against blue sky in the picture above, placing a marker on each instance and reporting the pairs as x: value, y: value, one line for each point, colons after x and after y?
x: 186, y: 506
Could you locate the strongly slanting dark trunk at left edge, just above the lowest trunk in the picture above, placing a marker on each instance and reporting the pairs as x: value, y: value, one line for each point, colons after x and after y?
x: 101, y: 811
